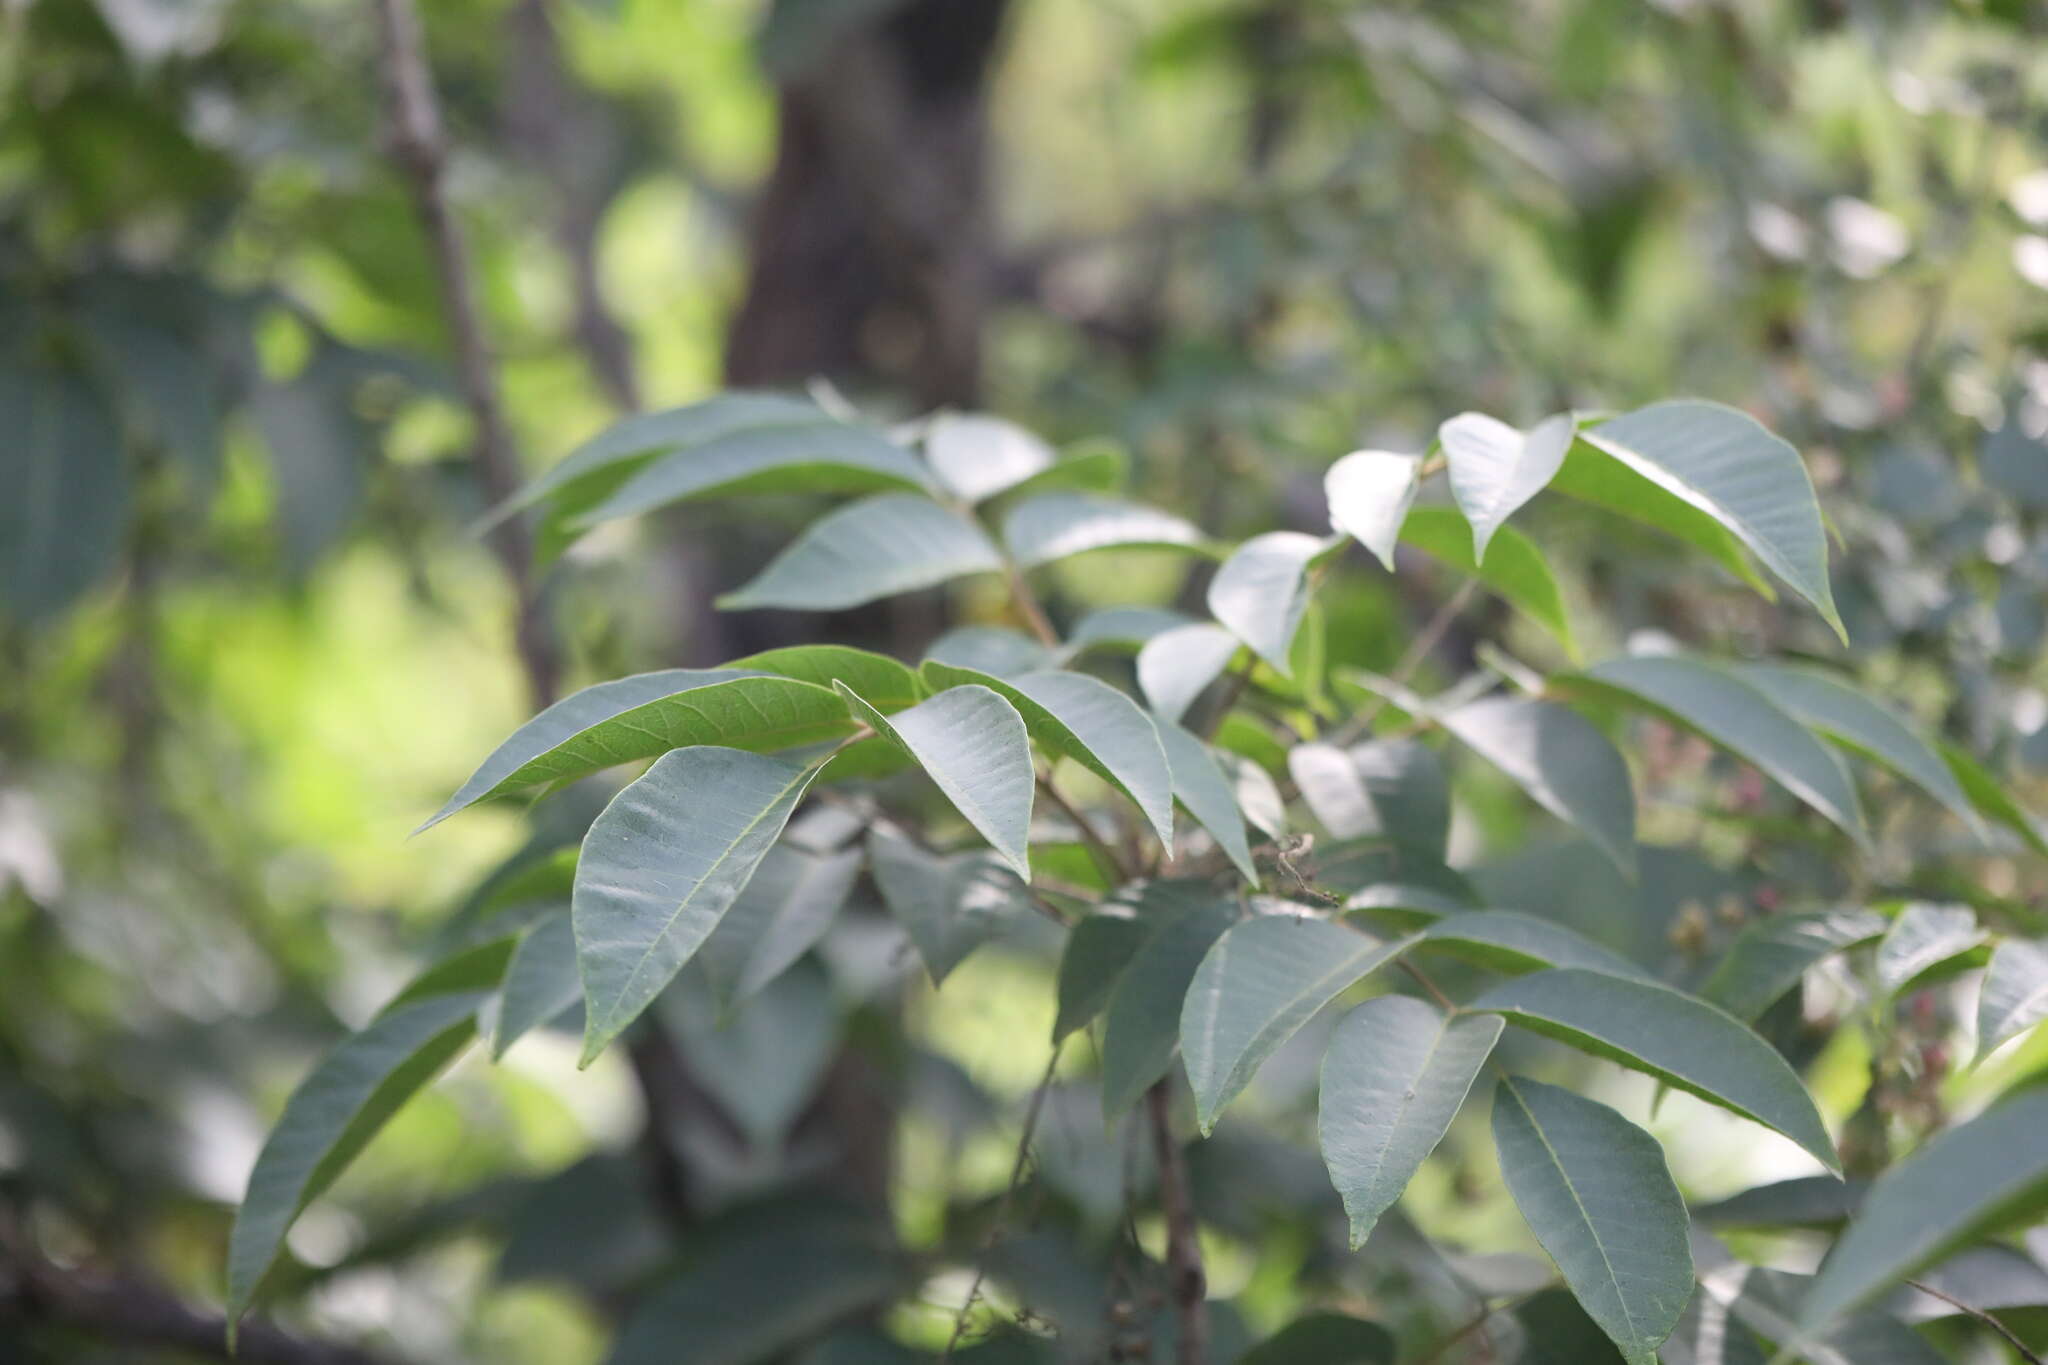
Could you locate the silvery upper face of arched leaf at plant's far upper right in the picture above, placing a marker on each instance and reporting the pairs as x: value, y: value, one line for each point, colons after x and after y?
x: 1727, y: 466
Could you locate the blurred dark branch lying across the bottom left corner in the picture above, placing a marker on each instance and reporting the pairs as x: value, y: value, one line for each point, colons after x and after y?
x: 116, y: 1309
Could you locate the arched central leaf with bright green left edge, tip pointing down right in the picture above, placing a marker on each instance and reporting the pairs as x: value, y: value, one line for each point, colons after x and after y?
x: 1091, y: 723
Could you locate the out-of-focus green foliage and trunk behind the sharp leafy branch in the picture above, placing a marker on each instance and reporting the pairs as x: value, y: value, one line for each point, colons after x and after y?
x: 1236, y: 240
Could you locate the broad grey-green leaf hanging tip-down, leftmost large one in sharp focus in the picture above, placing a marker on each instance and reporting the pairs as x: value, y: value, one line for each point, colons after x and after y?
x: 663, y: 865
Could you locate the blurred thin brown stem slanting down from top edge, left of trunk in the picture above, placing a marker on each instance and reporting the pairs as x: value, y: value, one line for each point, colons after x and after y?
x: 421, y: 150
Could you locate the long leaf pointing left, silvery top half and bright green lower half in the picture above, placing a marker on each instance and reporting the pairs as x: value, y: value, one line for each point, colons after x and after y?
x: 648, y: 715
